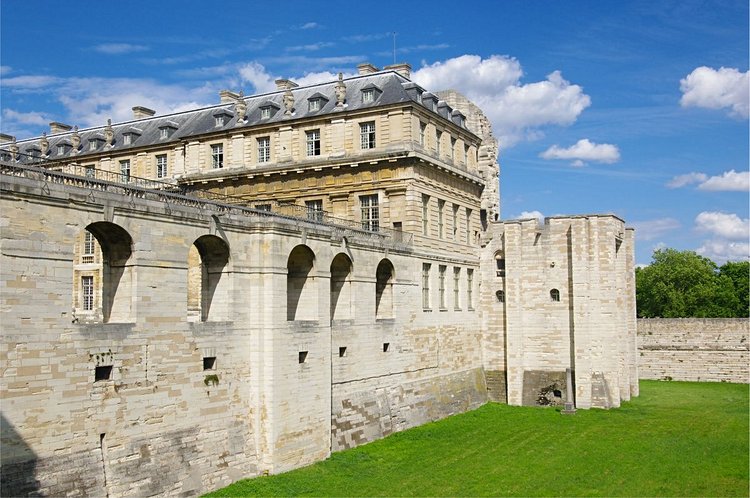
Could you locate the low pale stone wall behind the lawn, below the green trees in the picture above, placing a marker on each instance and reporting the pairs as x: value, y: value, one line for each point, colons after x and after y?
x: 694, y: 349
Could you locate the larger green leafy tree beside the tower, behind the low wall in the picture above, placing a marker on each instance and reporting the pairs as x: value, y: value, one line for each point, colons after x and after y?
x: 681, y: 284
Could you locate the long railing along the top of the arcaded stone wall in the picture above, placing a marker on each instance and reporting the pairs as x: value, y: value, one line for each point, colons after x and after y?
x: 89, y: 177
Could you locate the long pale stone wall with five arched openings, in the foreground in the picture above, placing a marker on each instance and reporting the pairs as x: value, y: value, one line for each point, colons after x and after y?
x: 300, y: 352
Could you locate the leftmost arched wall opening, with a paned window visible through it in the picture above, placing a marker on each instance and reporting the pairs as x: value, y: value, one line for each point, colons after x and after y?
x: 103, y: 274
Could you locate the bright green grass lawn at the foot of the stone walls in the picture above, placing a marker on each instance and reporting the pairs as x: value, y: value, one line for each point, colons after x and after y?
x: 676, y: 439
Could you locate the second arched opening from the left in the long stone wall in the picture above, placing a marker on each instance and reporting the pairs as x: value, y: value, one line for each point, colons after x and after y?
x: 208, y: 285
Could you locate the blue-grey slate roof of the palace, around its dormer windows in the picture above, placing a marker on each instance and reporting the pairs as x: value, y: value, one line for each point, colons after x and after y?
x: 393, y: 88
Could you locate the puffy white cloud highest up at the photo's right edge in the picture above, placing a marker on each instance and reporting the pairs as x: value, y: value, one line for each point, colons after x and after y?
x: 717, y: 89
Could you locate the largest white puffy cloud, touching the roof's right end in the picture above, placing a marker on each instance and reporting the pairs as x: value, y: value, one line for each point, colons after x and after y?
x: 517, y: 110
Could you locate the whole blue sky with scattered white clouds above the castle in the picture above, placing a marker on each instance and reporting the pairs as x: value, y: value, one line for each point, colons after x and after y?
x: 634, y: 108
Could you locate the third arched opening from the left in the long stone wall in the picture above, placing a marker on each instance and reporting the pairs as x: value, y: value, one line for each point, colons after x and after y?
x: 301, y: 292
